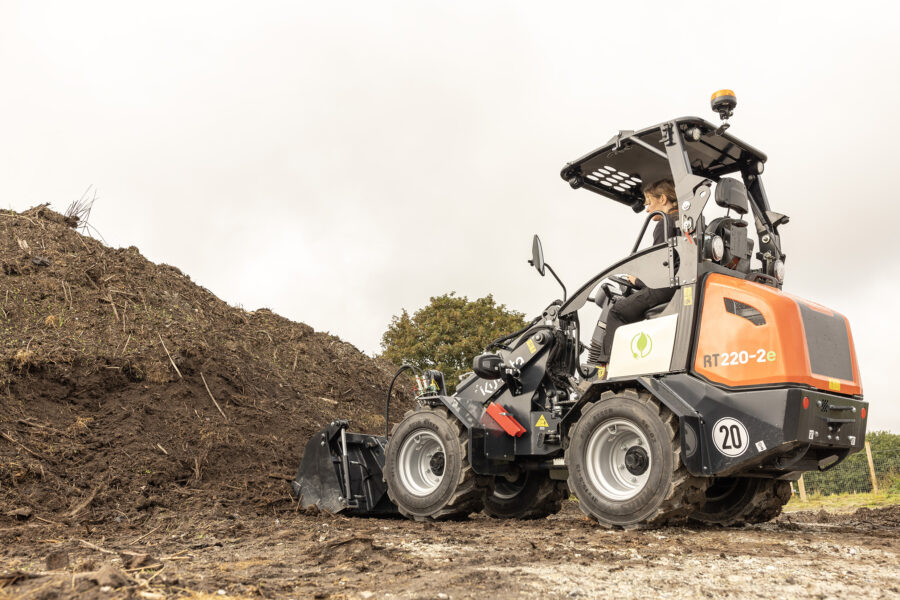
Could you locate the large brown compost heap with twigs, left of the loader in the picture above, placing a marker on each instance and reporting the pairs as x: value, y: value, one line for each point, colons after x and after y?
x: 125, y: 387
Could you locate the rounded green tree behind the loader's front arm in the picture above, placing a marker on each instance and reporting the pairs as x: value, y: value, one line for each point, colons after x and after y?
x: 448, y: 333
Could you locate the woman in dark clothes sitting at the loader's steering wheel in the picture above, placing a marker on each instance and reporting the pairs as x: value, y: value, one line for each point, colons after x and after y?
x: 659, y: 196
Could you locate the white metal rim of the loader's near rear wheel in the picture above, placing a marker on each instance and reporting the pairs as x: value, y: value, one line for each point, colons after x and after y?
x: 605, y: 459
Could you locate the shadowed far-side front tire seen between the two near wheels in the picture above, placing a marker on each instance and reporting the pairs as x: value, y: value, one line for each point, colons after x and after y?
x: 533, y: 495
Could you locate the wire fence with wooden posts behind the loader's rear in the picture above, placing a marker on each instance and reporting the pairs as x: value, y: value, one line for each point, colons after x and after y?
x: 855, y: 475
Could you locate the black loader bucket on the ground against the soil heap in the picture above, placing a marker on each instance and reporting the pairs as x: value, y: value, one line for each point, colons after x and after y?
x: 342, y: 473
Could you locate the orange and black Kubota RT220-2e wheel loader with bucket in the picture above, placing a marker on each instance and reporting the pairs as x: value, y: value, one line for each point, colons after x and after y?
x: 711, y: 406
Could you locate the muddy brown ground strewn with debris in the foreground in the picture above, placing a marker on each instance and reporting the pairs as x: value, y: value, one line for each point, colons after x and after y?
x: 289, y: 554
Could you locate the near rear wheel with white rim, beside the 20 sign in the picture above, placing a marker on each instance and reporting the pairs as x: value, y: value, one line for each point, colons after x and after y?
x: 624, y: 460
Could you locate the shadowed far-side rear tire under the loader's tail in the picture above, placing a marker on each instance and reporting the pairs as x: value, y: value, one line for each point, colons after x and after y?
x: 732, y: 501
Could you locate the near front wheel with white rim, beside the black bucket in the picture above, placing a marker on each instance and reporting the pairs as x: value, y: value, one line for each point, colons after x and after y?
x: 427, y: 467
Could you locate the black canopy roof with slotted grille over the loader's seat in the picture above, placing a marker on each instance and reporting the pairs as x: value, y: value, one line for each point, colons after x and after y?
x: 619, y: 169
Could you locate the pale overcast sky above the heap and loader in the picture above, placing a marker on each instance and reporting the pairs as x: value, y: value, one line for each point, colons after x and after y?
x: 338, y: 162
